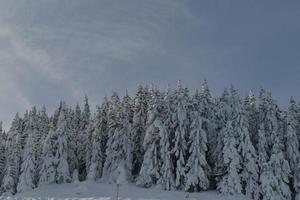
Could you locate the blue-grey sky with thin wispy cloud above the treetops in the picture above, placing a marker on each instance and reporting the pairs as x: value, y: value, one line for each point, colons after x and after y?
x: 57, y: 49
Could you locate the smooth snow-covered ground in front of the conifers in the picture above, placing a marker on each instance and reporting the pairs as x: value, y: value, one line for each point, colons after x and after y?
x: 102, y: 191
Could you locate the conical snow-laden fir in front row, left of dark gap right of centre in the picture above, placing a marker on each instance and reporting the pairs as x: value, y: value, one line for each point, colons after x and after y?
x: 197, y: 166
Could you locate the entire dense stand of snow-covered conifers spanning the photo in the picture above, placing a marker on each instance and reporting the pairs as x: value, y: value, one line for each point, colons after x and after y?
x: 169, y: 139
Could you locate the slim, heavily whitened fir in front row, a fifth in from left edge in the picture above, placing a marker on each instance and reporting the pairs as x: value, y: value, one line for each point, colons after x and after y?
x: 62, y: 173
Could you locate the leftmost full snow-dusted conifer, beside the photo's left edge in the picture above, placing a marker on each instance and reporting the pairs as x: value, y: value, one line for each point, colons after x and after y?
x: 13, y: 148
